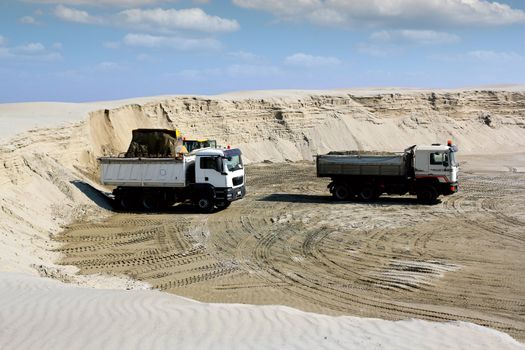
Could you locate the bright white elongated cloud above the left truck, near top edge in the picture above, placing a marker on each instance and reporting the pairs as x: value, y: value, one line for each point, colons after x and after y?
x: 187, y: 19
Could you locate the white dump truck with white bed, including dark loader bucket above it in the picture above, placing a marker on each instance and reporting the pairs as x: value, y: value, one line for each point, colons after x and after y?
x: 208, y: 177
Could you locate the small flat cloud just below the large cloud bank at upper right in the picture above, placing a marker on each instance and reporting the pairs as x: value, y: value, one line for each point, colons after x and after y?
x: 422, y: 37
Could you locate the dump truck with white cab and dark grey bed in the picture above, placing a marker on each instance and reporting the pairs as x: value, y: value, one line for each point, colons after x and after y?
x: 426, y: 171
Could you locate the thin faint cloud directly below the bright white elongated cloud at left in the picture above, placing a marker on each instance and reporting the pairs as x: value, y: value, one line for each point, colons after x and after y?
x: 170, y: 42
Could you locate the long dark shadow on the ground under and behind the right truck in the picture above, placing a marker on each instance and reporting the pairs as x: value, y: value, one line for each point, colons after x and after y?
x: 320, y: 199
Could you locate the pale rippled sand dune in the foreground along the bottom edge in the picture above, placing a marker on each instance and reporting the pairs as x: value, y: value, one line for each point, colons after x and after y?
x: 45, y: 314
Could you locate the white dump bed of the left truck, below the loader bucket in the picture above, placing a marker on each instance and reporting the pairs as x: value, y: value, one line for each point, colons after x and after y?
x: 145, y: 172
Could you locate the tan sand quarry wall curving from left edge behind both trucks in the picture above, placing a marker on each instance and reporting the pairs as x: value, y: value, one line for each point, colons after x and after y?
x: 40, y: 170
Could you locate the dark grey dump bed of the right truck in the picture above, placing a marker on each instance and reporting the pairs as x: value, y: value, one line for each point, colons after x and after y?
x: 353, y: 163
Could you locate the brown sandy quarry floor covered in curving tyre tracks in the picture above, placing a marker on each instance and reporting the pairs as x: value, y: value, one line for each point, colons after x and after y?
x: 287, y: 243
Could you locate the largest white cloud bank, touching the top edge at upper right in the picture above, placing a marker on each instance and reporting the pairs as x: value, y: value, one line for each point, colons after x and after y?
x: 394, y: 13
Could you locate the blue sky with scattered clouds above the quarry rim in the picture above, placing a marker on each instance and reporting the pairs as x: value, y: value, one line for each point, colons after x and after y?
x: 90, y: 50
